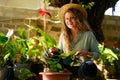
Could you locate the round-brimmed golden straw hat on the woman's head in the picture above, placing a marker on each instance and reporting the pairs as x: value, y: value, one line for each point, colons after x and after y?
x: 64, y: 8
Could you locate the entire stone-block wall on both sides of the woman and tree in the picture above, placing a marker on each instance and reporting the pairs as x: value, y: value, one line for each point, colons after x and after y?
x: 110, y: 27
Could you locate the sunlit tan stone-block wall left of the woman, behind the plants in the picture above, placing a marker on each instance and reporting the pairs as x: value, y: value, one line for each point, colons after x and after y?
x: 52, y: 29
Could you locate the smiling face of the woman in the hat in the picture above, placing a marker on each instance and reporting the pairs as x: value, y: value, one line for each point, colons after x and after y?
x: 70, y: 20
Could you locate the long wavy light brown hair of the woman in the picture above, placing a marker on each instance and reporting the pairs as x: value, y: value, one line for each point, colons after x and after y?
x: 67, y: 32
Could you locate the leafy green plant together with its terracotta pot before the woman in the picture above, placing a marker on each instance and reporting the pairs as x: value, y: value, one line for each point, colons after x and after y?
x: 54, y: 68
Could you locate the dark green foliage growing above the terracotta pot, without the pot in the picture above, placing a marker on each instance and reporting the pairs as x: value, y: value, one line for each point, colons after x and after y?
x: 56, y: 62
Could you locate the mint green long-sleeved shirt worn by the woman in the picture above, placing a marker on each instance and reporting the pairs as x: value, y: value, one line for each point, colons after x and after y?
x: 85, y: 41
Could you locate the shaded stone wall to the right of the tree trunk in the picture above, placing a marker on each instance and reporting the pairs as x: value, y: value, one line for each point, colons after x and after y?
x: 111, y: 28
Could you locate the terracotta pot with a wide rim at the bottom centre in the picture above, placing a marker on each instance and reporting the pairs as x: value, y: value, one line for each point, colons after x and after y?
x: 55, y: 75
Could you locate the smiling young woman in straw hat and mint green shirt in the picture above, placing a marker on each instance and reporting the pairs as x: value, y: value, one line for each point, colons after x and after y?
x: 78, y: 37
